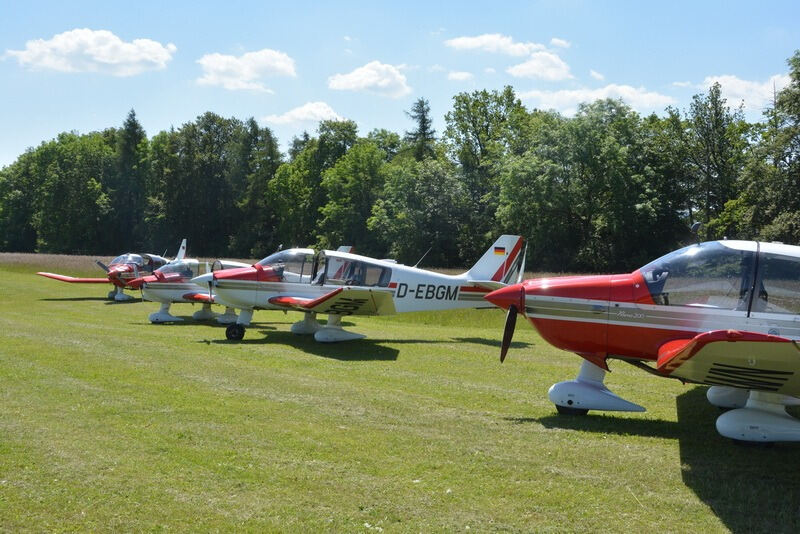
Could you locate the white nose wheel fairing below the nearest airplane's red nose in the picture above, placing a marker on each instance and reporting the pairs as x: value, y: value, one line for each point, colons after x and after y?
x: 587, y: 392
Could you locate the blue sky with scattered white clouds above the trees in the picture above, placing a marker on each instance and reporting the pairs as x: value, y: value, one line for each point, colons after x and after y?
x: 82, y: 65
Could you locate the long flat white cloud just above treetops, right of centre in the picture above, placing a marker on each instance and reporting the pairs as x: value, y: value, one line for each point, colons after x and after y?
x: 567, y: 100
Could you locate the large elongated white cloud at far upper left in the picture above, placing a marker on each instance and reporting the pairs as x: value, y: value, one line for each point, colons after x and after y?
x: 85, y: 50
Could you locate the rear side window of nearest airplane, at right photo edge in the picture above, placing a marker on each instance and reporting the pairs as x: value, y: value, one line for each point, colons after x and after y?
x: 779, y: 287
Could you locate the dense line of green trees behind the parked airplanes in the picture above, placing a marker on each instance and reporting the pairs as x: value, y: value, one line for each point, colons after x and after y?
x: 606, y: 189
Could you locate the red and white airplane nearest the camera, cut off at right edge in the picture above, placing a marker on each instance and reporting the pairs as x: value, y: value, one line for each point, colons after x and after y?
x: 723, y: 313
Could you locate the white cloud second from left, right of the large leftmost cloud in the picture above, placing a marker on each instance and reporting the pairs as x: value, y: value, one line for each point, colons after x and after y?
x: 245, y: 71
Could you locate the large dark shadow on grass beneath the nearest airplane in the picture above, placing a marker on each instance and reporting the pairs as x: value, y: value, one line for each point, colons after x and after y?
x: 750, y: 488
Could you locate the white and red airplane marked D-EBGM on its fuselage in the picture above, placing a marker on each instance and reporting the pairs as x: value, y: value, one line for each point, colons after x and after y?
x: 341, y: 284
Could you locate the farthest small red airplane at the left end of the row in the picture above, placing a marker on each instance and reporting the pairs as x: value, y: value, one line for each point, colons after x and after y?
x: 122, y: 270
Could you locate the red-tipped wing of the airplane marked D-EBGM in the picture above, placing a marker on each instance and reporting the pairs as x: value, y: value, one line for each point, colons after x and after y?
x: 342, y: 301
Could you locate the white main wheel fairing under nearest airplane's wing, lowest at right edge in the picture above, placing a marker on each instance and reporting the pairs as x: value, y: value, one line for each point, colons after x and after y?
x: 763, y: 419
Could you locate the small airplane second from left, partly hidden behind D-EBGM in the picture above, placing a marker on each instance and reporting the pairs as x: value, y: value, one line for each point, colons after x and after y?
x: 173, y: 283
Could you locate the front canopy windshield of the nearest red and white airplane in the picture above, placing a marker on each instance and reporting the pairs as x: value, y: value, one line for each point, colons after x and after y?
x: 709, y: 275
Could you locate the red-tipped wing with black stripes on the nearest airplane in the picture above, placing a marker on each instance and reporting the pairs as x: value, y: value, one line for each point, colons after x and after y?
x: 747, y: 360
